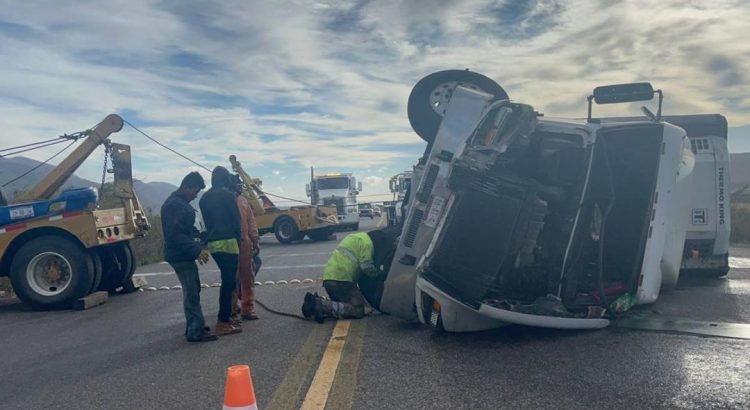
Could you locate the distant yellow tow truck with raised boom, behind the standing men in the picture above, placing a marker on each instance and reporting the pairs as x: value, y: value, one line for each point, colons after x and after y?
x: 288, y: 225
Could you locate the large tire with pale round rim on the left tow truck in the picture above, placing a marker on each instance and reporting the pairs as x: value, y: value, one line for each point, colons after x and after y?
x: 51, y: 272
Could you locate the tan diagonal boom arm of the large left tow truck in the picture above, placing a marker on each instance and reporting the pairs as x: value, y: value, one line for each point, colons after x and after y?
x: 55, y: 179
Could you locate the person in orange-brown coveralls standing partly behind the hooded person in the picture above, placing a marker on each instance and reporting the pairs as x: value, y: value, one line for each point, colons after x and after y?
x: 244, y: 298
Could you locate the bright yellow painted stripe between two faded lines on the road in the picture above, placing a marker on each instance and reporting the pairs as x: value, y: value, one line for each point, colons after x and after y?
x: 317, y: 395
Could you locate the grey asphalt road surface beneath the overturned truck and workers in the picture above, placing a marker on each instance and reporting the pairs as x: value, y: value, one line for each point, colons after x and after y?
x: 130, y: 353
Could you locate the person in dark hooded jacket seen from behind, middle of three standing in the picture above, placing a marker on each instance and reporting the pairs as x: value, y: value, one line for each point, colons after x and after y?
x: 224, y: 233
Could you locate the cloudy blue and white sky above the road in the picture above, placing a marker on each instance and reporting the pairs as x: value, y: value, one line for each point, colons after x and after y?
x: 289, y: 84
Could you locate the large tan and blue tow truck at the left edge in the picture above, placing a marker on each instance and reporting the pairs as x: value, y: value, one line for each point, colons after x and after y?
x: 57, y: 248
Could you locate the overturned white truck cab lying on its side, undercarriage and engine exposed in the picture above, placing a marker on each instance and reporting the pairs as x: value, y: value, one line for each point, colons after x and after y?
x: 519, y: 218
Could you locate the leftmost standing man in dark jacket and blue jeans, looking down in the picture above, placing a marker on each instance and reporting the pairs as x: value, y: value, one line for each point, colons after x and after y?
x: 182, y: 248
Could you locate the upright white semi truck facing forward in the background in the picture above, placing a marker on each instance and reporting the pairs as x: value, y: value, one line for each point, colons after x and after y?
x: 339, y: 190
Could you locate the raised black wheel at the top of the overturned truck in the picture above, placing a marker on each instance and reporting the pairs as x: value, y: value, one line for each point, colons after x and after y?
x: 429, y: 98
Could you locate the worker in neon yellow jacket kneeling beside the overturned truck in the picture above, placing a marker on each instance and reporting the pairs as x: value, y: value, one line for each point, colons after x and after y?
x: 355, y: 272
